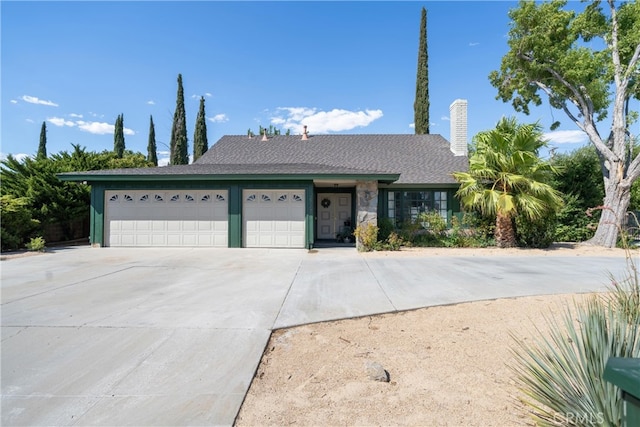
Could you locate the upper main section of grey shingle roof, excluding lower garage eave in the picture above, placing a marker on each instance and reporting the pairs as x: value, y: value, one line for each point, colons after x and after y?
x: 419, y: 159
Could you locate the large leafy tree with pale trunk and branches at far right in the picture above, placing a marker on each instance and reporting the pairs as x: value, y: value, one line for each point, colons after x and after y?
x: 587, y: 66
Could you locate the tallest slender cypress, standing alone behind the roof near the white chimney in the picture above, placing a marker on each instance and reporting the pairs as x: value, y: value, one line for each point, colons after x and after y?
x: 421, y: 104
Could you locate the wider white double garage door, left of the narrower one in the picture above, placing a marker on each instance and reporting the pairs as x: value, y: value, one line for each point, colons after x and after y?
x: 166, y: 218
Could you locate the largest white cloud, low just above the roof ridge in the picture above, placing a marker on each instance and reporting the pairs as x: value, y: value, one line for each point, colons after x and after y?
x: 336, y: 120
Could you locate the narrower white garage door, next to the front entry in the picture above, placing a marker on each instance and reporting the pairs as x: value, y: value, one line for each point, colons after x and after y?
x: 274, y: 218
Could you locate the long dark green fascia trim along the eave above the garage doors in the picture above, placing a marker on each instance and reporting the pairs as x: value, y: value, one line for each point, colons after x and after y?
x: 90, y: 178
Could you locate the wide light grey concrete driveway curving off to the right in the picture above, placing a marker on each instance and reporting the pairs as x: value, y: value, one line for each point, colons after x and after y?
x: 174, y: 336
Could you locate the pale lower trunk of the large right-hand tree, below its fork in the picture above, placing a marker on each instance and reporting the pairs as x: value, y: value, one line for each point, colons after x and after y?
x: 614, y: 214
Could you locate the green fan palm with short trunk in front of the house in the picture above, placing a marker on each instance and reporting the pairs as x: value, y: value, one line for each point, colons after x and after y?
x: 507, y: 178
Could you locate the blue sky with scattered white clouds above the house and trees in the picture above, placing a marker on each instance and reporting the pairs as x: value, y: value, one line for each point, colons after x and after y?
x: 338, y: 67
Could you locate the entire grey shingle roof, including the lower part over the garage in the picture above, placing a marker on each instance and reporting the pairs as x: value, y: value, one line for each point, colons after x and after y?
x: 418, y: 159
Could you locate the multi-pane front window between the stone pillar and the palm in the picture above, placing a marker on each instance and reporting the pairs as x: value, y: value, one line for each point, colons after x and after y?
x: 407, y: 205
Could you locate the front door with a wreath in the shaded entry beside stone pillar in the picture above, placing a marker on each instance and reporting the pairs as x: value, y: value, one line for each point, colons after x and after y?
x: 334, y: 210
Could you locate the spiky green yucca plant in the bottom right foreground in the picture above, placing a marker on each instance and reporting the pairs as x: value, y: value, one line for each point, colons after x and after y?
x: 560, y: 375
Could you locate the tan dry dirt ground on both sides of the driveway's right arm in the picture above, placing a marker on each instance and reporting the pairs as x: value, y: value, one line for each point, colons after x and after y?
x: 447, y: 365
